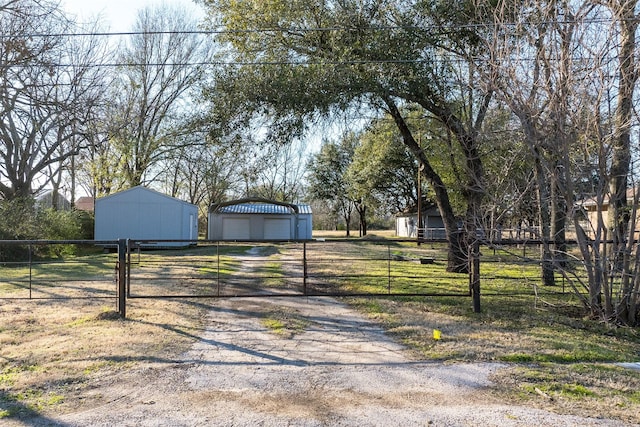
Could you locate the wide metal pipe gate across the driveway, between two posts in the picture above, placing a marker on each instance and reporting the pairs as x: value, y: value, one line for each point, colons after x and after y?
x: 215, y: 269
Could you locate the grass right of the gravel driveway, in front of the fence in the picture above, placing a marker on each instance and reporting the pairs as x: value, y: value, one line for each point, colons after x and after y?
x: 563, y: 364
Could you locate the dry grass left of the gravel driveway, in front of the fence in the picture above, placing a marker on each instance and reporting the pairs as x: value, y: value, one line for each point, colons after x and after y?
x: 50, y: 350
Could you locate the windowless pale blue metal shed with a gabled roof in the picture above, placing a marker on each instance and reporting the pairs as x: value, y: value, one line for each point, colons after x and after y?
x: 140, y: 213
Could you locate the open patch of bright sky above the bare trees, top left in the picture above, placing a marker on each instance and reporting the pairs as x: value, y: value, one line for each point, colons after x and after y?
x: 117, y: 15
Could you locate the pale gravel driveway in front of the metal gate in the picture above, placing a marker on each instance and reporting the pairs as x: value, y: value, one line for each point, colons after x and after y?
x: 341, y: 370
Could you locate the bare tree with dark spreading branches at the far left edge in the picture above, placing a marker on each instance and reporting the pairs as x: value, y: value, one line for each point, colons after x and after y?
x: 48, y: 87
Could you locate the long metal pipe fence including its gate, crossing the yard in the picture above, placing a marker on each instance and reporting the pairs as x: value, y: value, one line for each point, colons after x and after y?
x: 216, y: 269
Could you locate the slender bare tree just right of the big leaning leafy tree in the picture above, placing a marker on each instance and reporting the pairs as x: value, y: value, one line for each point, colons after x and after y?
x: 533, y: 71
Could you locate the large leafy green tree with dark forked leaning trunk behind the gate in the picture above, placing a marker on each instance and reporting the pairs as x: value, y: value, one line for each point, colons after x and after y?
x: 309, y: 59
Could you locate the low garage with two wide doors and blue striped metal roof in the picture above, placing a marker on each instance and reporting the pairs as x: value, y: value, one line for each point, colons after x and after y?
x: 255, y: 219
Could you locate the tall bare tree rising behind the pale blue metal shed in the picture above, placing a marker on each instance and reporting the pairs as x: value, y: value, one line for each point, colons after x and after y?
x: 159, y: 68
